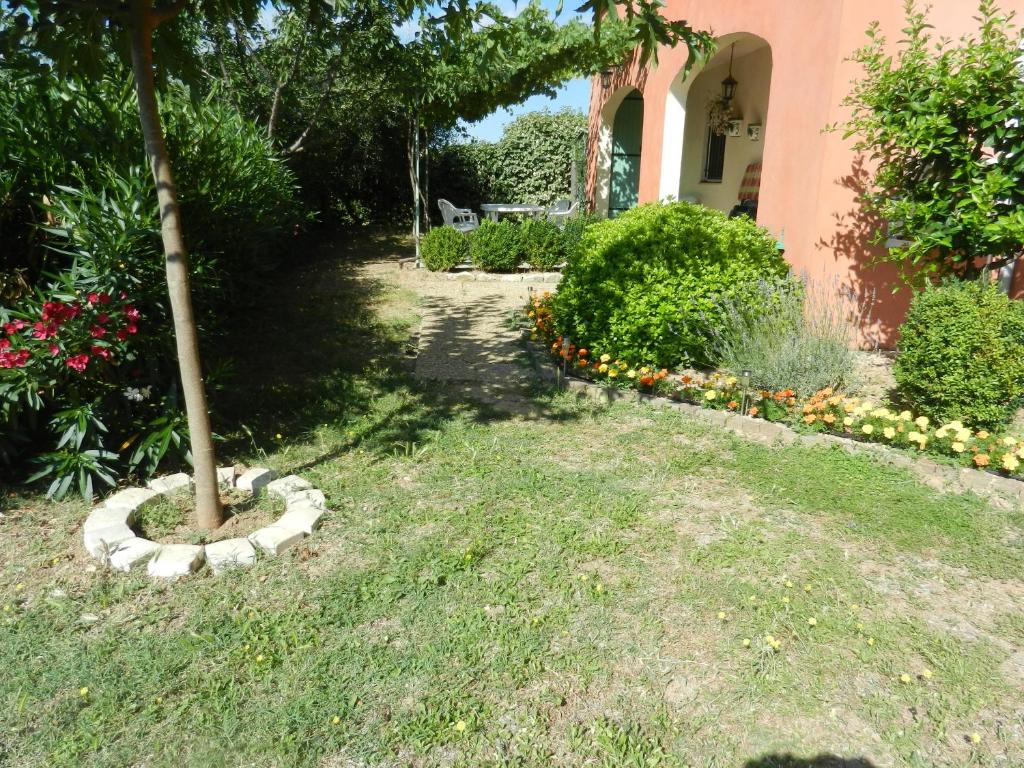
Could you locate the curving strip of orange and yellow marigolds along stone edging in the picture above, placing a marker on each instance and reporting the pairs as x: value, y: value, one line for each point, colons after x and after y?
x: 827, y: 412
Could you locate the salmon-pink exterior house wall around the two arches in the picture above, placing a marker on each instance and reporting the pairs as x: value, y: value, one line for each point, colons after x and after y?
x: 810, y: 179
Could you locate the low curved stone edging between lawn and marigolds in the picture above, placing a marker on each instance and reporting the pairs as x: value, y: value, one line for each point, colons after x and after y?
x: 1002, y: 491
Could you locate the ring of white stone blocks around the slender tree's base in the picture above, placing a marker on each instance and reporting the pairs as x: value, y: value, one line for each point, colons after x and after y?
x: 109, y: 535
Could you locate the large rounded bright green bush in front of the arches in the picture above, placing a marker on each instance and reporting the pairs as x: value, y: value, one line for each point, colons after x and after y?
x: 649, y: 286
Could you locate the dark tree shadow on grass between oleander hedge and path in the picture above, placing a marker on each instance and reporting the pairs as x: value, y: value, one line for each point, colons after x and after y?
x: 323, y: 344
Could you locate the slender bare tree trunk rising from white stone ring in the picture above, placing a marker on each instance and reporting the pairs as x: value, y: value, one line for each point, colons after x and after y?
x: 208, y: 508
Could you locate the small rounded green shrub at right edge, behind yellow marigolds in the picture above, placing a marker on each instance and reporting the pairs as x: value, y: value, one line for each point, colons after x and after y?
x: 962, y: 355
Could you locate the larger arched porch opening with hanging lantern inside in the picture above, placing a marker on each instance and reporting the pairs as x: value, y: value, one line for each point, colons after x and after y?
x: 712, y: 151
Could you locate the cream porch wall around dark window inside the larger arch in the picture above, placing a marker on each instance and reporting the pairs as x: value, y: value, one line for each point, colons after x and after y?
x: 753, y: 72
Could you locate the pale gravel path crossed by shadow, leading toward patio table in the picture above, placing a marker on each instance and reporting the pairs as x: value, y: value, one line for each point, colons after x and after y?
x: 470, y: 342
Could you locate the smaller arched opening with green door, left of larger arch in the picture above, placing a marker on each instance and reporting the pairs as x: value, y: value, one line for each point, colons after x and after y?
x: 621, y: 146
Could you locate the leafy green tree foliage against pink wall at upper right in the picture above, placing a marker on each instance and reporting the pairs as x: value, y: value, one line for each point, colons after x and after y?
x: 943, y: 124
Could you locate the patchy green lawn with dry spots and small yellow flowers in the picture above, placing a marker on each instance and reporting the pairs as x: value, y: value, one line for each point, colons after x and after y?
x: 603, y: 587
